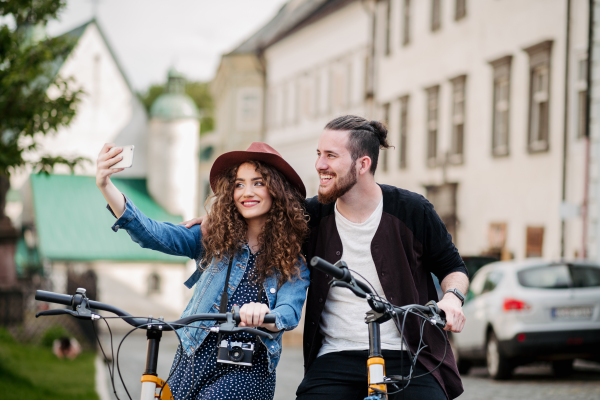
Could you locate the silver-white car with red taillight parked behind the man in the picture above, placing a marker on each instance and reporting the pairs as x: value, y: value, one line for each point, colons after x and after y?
x: 519, y: 312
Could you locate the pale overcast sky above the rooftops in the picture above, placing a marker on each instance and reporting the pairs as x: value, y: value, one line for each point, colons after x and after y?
x: 150, y: 36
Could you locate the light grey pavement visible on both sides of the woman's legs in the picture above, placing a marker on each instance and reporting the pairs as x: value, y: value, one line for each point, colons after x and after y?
x: 132, y: 360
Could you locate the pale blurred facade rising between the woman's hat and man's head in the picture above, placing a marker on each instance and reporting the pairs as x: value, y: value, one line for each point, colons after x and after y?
x: 301, y: 94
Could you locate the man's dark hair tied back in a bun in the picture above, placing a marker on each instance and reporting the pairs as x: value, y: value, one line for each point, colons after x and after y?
x: 366, y: 137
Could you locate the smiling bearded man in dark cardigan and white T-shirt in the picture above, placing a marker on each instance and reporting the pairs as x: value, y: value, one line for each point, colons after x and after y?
x: 394, y: 239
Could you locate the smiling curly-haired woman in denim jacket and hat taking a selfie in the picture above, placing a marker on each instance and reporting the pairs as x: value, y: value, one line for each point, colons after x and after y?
x: 257, y: 225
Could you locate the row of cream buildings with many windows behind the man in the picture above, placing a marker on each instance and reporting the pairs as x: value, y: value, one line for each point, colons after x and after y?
x: 485, y: 103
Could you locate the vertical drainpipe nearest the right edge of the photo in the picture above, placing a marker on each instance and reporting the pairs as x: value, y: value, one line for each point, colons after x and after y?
x: 585, y: 205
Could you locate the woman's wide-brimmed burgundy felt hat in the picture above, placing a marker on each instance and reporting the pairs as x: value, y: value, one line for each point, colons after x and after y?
x: 257, y: 151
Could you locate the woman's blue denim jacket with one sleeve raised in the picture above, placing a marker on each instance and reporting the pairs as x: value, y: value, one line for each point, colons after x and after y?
x: 285, y: 302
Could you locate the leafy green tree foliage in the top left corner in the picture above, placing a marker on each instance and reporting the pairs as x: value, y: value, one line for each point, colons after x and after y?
x: 28, y: 68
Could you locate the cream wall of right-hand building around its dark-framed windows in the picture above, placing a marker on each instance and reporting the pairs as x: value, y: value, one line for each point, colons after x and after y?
x: 522, y: 189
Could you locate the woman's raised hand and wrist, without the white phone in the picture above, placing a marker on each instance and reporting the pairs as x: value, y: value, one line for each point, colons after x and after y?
x: 109, y: 156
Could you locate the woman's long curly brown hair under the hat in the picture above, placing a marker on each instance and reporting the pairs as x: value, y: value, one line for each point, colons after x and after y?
x: 282, y: 235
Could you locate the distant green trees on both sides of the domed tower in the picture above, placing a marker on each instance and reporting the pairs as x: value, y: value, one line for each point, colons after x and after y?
x: 198, y: 91
